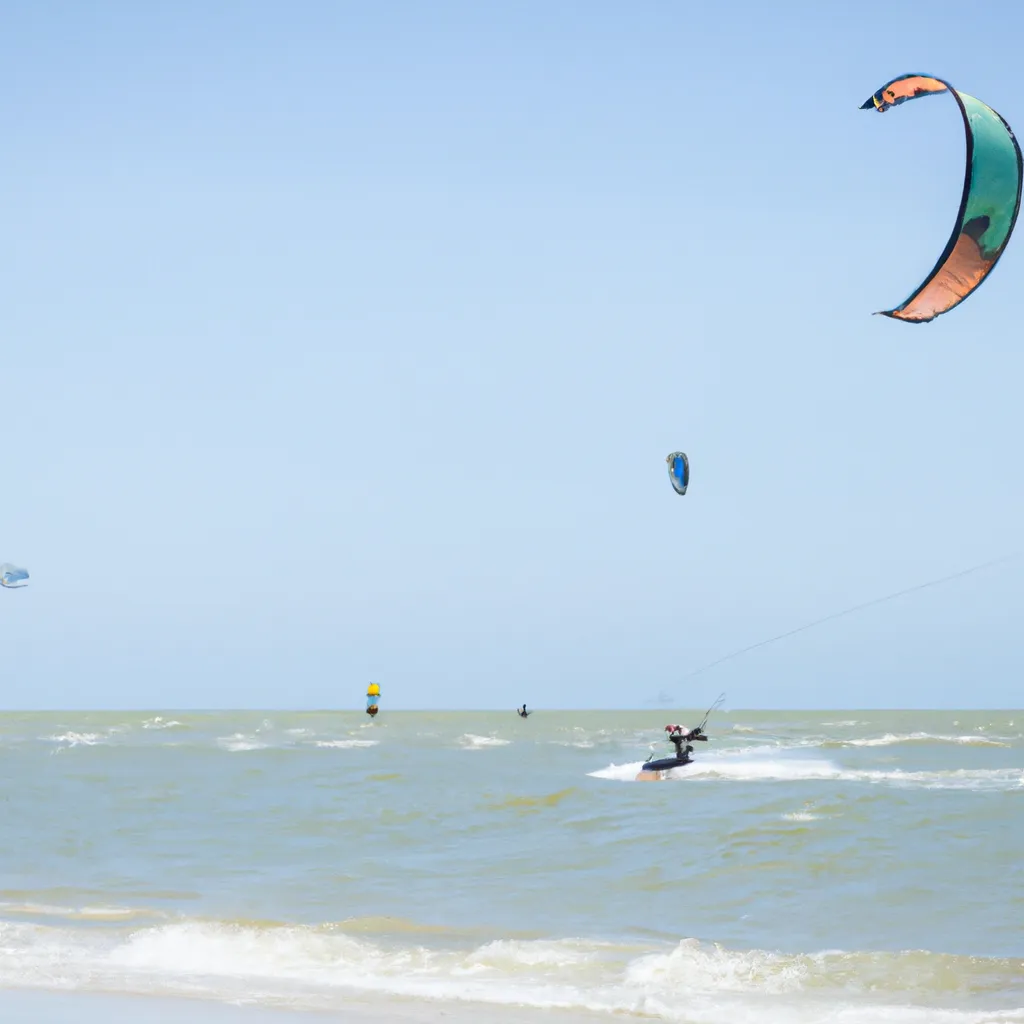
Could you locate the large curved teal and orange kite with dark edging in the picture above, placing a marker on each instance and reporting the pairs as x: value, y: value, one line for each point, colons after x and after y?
x: 989, y: 207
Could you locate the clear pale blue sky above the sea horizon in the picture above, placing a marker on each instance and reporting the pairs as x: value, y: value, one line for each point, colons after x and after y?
x: 348, y: 342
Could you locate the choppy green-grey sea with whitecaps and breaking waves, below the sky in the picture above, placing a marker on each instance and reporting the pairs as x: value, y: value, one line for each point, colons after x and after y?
x: 847, y: 868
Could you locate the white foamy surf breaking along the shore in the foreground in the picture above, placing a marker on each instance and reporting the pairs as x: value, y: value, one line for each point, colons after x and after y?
x: 320, y: 968
